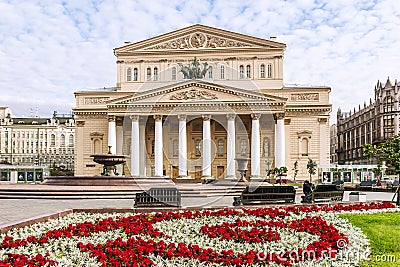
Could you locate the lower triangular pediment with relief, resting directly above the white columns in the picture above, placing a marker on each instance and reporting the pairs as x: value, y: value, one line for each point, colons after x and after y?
x: 196, y: 91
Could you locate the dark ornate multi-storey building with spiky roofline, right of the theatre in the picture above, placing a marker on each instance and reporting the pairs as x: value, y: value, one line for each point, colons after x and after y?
x: 375, y: 123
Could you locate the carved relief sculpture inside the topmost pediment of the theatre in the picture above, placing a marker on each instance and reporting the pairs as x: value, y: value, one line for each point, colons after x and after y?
x: 199, y: 40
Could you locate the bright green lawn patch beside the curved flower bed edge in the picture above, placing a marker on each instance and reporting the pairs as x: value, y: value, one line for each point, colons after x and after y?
x: 383, y: 231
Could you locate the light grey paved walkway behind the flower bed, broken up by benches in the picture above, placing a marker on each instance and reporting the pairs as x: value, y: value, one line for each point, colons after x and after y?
x: 12, y: 210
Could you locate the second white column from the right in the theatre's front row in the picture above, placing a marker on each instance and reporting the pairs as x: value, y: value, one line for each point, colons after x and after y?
x: 255, y: 146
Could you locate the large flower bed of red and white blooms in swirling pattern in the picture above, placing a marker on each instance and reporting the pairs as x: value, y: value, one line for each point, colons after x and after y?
x: 305, y: 236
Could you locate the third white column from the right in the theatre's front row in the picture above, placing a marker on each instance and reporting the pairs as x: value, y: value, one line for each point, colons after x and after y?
x: 231, y: 148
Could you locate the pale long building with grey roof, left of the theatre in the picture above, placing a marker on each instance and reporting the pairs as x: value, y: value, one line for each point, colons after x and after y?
x: 35, y: 141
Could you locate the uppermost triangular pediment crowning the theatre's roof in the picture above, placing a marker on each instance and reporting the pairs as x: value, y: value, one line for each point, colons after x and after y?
x: 199, y: 37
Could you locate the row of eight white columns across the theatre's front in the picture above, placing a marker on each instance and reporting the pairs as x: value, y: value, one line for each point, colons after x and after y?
x: 138, y: 150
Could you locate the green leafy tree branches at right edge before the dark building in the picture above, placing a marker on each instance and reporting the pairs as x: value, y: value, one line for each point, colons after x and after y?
x: 388, y: 151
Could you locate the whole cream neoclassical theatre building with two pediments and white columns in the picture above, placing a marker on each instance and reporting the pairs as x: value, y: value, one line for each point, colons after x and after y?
x: 188, y: 102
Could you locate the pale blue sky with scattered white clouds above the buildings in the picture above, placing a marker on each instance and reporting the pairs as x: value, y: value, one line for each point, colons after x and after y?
x: 49, y: 49
